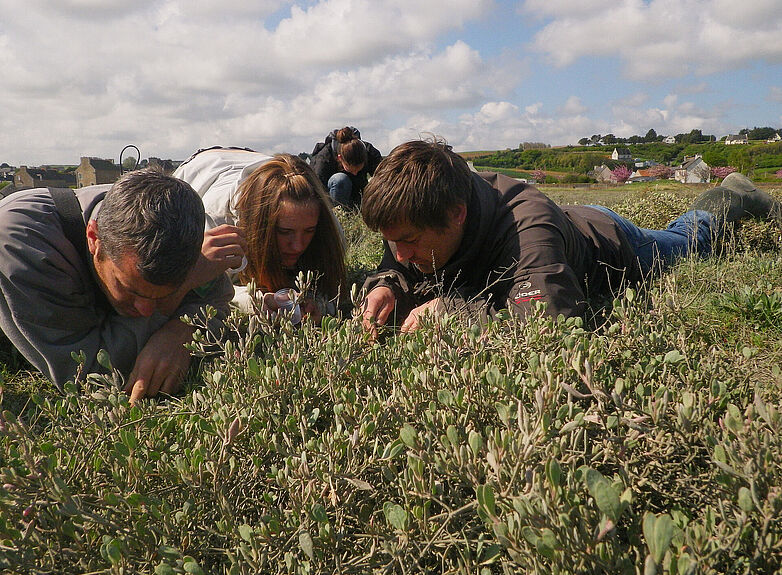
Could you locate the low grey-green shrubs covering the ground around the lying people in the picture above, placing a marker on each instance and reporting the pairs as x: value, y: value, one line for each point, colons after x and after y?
x: 647, y: 440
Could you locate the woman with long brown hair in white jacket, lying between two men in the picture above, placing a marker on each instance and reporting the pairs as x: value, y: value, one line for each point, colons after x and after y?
x: 280, y: 207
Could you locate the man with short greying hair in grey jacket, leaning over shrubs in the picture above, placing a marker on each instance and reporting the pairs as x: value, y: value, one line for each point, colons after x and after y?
x: 110, y: 267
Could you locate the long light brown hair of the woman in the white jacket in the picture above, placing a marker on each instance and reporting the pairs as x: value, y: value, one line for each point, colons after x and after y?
x: 288, y: 178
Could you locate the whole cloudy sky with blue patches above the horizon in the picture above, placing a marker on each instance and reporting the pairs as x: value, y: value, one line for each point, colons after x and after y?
x: 86, y: 77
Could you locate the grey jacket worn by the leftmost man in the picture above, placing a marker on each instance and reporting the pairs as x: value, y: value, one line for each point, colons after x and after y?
x: 48, y: 307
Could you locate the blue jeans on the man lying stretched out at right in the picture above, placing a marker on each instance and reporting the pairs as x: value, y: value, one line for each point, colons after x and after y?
x: 691, y: 233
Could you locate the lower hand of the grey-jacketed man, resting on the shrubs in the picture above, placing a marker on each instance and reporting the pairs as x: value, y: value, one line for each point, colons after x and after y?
x: 162, y: 363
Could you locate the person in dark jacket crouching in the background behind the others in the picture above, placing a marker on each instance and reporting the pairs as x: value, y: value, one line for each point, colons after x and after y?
x: 344, y: 163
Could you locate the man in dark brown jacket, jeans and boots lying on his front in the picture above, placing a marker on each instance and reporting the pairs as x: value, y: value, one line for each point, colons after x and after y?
x: 476, y: 243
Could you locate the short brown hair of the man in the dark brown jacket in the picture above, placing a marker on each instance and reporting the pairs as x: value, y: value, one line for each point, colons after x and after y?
x: 419, y: 183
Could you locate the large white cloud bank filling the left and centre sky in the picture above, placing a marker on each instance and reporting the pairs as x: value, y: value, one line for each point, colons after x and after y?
x: 174, y: 75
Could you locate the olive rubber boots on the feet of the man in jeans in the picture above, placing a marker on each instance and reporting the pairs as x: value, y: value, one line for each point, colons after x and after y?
x: 737, y: 198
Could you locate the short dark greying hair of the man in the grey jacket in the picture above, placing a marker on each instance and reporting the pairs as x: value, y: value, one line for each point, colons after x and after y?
x: 156, y: 217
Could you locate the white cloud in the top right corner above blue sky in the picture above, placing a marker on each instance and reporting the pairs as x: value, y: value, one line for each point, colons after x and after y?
x: 661, y: 38
